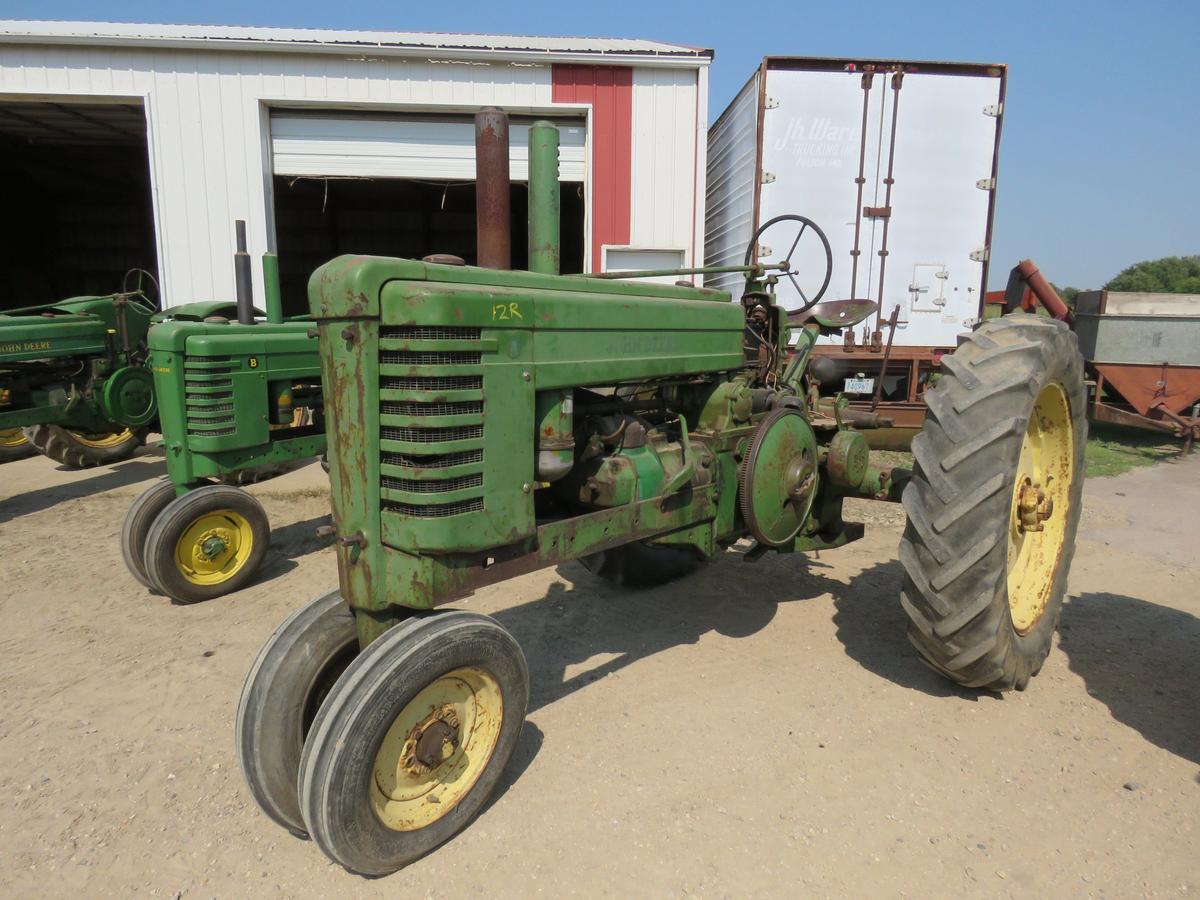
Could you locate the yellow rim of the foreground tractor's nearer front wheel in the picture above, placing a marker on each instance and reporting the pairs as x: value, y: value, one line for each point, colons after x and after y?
x: 436, y: 749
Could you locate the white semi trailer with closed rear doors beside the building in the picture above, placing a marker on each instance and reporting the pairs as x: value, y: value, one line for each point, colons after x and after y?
x: 897, y: 163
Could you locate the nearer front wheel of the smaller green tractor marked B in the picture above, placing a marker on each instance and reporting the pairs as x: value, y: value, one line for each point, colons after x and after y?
x: 207, y: 544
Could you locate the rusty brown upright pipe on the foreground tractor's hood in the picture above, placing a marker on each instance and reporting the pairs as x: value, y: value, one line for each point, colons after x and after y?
x: 494, y: 236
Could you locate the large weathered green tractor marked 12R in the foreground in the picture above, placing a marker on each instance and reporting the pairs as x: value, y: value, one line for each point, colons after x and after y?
x: 484, y: 424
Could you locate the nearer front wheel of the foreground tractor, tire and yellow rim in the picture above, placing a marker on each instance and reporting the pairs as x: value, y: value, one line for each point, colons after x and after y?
x: 412, y: 740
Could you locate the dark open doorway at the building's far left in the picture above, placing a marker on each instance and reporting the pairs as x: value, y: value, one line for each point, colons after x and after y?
x: 79, y: 208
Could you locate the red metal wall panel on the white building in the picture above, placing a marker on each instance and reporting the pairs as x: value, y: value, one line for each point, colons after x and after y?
x: 610, y: 91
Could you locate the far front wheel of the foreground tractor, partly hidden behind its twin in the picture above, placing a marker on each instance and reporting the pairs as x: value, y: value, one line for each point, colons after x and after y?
x: 286, y: 686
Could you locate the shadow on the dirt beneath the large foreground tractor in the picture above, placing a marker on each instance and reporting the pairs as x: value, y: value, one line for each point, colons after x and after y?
x: 586, y: 617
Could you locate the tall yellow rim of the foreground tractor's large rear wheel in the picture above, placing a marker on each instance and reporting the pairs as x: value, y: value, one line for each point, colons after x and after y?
x: 1037, y: 527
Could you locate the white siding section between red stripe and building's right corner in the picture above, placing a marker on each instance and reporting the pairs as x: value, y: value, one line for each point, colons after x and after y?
x: 664, y: 205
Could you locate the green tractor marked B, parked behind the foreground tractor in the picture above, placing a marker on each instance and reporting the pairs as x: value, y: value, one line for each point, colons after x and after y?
x: 239, y: 400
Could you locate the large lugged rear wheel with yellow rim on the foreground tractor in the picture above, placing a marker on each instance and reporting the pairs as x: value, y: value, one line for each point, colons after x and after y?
x: 995, y: 503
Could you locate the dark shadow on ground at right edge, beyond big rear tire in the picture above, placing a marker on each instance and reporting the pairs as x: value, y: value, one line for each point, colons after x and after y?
x: 1143, y: 662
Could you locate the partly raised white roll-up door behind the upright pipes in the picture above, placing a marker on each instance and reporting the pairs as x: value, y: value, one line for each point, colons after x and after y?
x: 409, y: 147
